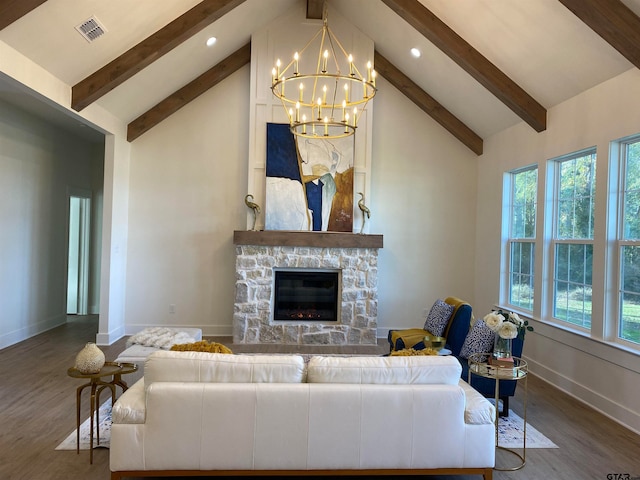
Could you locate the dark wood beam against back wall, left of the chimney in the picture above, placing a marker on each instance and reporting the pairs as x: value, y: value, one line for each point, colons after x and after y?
x: 186, y: 94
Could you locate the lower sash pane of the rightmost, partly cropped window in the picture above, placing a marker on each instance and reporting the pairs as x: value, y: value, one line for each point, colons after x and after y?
x: 629, y: 325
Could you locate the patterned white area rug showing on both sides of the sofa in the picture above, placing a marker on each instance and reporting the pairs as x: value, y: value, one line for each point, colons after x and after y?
x: 510, y: 433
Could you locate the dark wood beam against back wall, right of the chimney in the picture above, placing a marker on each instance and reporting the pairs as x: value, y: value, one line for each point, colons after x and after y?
x: 428, y: 104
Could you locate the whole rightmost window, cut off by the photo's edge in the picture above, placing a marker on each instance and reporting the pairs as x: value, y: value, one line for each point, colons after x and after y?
x: 629, y: 293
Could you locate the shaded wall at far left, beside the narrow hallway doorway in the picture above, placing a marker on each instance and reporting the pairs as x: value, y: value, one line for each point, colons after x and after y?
x: 38, y: 163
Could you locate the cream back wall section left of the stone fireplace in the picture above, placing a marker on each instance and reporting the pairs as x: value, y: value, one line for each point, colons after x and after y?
x: 188, y: 179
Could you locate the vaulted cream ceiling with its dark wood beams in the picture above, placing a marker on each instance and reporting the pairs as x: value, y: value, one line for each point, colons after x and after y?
x: 485, y: 66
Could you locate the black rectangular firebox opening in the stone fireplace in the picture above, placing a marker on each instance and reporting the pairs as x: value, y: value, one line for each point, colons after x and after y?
x: 306, y: 295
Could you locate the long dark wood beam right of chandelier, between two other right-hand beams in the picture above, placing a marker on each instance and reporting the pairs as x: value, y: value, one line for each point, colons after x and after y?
x: 467, y: 57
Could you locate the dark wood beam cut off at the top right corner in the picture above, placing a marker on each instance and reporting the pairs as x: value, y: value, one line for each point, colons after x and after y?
x: 613, y: 21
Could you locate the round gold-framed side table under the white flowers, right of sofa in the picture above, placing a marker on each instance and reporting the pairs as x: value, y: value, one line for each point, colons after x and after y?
x: 480, y: 364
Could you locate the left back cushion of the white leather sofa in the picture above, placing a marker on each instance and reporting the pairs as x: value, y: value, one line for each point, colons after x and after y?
x: 170, y: 366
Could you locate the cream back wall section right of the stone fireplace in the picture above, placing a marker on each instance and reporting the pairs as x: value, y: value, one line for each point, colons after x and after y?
x: 422, y: 196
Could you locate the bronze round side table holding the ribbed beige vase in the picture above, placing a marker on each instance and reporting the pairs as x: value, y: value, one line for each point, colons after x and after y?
x: 97, y: 384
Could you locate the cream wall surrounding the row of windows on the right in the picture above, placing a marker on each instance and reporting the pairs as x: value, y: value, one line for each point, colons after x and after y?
x: 595, y: 371
